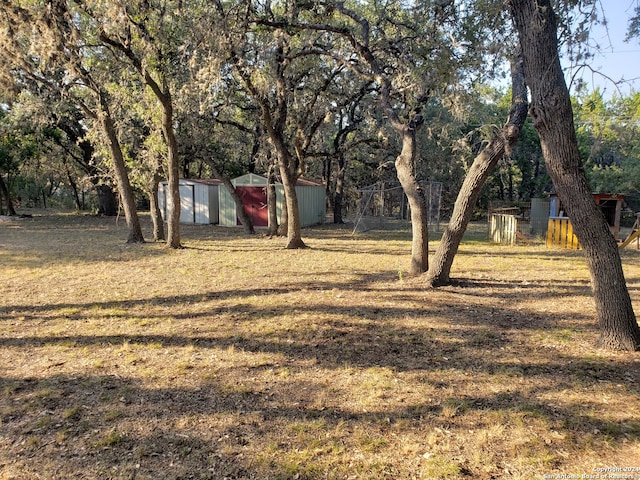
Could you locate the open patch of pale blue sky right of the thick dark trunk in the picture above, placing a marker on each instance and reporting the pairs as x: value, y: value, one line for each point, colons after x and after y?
x: 617, y: 59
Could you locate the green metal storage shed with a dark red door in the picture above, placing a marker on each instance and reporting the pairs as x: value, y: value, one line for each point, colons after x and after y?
x: 252, y: 189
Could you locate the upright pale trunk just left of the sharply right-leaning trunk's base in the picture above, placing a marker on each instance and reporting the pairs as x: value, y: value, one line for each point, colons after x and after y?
x: 405, y: 168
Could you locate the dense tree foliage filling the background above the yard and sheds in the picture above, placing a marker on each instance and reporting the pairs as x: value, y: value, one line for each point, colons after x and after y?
x: 442, y: 56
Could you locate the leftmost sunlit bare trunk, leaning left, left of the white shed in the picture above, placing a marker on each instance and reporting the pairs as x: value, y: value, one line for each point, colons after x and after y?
x: 122, y: 177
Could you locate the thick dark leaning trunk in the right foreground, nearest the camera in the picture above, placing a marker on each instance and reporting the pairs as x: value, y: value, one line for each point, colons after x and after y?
x: 553, y: 118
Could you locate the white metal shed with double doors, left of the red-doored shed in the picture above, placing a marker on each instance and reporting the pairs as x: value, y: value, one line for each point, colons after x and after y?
x: 198, y: 200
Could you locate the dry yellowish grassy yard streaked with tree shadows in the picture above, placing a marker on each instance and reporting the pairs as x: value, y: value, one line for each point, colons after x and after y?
x: 236, y: 359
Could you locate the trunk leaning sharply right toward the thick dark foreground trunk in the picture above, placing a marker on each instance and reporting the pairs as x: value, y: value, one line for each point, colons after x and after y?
x: 483, y: 165
